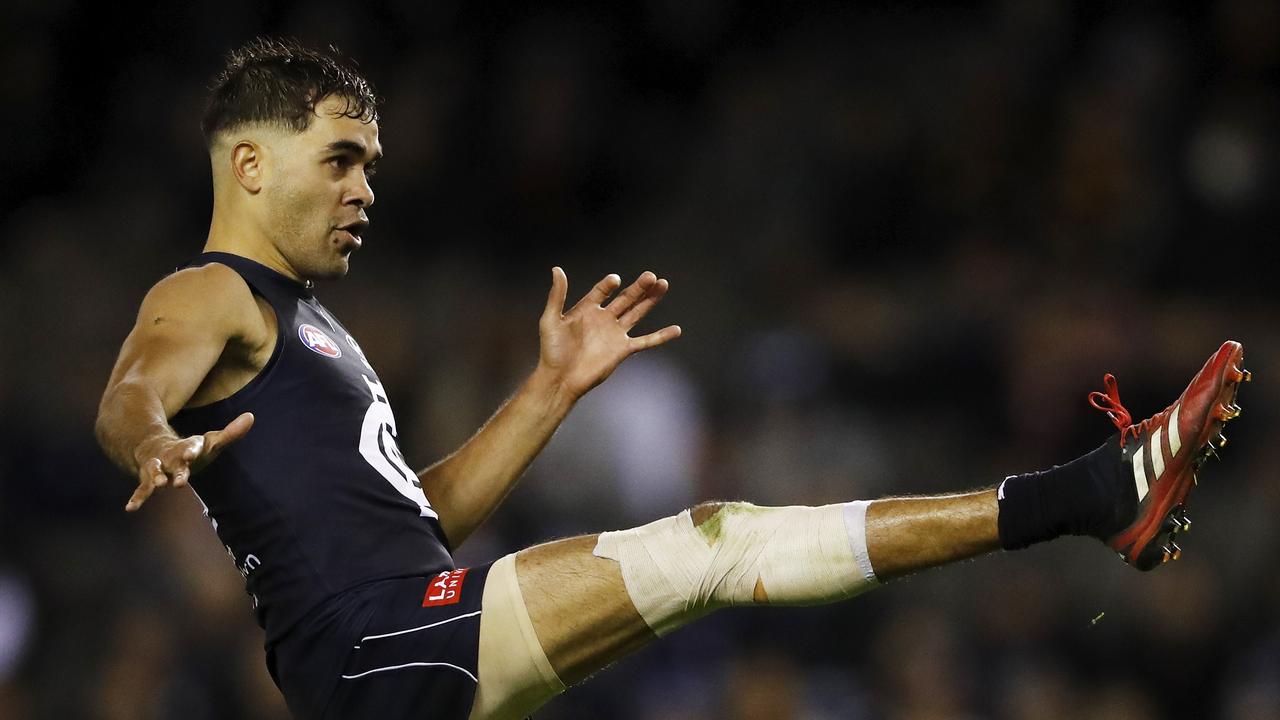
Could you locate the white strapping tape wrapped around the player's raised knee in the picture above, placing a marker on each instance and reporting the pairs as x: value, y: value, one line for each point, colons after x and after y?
x: 676, y: 572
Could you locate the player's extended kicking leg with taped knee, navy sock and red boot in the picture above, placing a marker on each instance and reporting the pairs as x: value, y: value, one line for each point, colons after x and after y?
x: 580, y: 612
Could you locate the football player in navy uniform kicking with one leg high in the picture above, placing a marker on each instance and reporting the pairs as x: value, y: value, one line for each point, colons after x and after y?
x: 239, y: 381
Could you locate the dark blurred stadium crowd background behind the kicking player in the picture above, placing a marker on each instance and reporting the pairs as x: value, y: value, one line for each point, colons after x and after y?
x: 906, y: 240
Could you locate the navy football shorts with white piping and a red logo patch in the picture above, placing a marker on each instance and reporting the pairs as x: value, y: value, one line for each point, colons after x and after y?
x: 406, y: 648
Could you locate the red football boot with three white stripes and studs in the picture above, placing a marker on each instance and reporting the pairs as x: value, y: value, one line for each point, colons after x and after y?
x: 1164, y: 453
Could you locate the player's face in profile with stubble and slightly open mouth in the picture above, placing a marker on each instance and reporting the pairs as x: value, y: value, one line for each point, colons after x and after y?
x: 318, y: 192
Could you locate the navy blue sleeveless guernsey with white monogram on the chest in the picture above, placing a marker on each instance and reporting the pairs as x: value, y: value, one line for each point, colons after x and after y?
x: 317, y: 499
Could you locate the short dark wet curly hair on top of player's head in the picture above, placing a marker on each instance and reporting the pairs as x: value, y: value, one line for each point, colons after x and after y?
x: 281, y: 83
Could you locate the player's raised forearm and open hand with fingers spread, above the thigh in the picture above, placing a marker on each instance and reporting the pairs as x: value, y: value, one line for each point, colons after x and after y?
x: 579, y: 350
